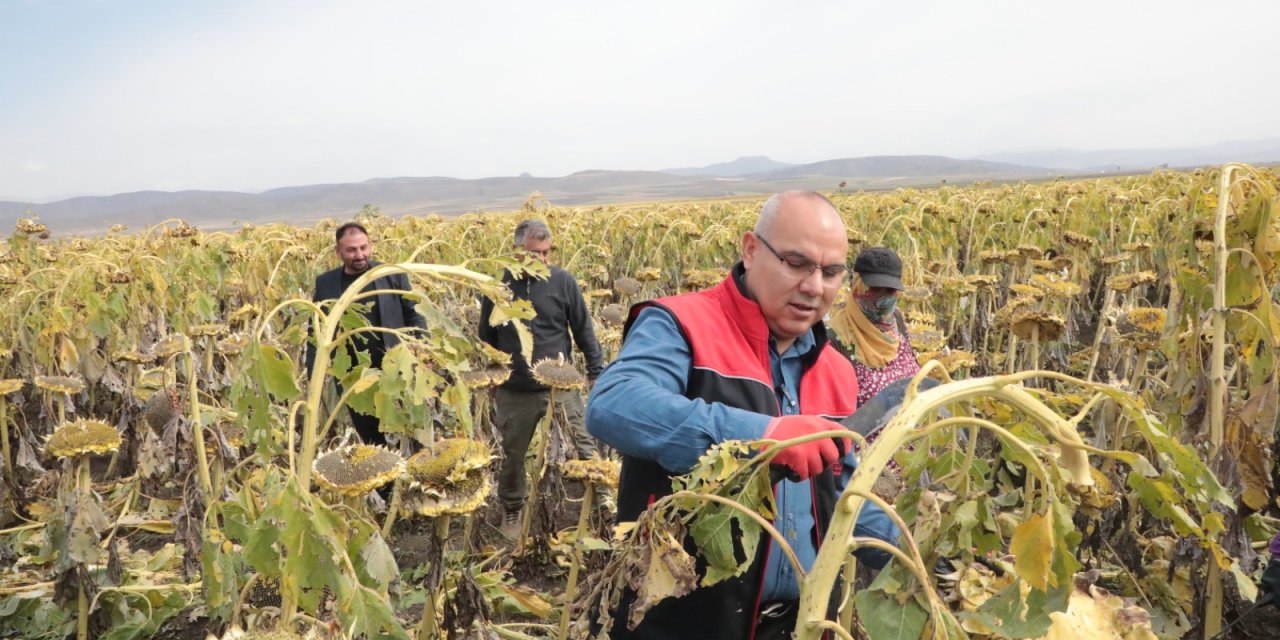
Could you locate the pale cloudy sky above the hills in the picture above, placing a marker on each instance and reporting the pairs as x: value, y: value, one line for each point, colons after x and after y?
x: 109, y: 97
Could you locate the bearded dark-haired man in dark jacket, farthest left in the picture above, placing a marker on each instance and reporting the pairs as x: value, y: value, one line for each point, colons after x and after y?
x: 386, y: 310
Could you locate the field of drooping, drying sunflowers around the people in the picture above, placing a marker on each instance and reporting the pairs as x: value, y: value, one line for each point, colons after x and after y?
x: 1100, y: 461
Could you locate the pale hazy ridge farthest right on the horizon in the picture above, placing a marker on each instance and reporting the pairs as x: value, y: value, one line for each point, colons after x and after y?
x: 1256, y: 152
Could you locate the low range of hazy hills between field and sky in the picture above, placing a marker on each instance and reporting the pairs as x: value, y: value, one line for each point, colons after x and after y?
x: 747, y: 176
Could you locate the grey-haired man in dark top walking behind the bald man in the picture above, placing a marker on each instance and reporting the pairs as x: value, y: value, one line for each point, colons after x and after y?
x: 522, y: 401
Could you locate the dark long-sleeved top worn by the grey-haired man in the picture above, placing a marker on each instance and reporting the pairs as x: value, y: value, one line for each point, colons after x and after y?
x: 561, y: 313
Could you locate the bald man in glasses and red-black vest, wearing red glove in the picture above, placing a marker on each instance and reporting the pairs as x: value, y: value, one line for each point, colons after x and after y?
x: 742, y: 362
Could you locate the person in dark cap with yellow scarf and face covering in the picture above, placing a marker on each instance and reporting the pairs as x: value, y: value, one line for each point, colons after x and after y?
x: 870, y: 328
